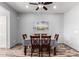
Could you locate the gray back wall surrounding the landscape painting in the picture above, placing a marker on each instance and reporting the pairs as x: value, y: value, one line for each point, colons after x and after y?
x: 55, y: 23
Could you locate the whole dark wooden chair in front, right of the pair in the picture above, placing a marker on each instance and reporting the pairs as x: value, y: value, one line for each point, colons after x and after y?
x: 45, y: 44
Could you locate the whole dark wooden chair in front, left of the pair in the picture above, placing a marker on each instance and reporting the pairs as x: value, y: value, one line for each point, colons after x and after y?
x: 35, y: 44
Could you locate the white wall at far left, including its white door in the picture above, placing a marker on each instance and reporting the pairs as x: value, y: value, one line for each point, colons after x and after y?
x: 4, y: 39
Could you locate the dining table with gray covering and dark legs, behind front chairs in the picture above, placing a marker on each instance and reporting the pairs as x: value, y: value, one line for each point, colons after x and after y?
x: 27, y: 43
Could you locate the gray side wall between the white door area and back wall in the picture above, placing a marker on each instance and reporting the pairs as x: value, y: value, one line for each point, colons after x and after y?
x: 12, y: 25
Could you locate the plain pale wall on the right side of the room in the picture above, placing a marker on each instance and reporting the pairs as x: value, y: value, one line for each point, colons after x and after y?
x: 71, y: 27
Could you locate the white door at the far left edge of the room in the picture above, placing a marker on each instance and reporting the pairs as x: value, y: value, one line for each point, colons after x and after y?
x: 3, y: 32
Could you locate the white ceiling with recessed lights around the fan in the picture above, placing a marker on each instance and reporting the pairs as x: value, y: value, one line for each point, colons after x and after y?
x: 61, y: 7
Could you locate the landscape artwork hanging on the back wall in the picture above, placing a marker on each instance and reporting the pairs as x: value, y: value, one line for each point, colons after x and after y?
x: 41, y: 25
